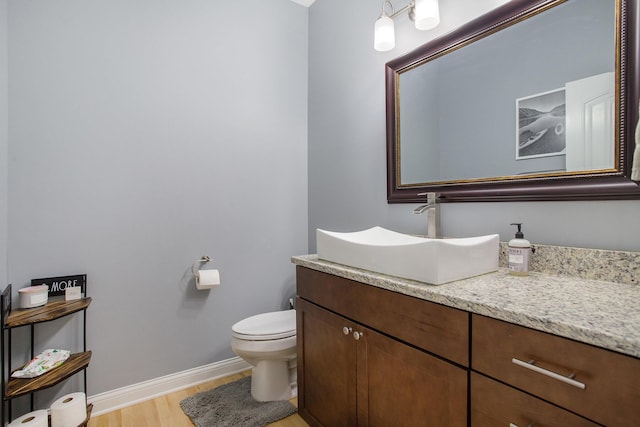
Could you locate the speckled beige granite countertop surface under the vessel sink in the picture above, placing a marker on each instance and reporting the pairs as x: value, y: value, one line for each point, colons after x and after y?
x: 604, y: 314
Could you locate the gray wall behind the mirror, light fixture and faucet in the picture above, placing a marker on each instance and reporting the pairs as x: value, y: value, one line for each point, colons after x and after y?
x: 347, y: 160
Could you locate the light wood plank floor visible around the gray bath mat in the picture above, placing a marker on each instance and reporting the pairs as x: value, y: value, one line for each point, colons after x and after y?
x: 165, y: 411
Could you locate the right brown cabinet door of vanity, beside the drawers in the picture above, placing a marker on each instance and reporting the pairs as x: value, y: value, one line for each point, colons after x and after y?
x: 399, y: 385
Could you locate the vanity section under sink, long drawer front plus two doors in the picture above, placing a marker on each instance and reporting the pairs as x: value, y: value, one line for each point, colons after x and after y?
x: 365, y: 356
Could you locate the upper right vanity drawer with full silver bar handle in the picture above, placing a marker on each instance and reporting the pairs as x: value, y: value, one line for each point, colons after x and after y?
x: 601, y: 385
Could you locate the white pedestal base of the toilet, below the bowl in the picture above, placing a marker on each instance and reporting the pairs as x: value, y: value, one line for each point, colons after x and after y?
x: 271, y: 380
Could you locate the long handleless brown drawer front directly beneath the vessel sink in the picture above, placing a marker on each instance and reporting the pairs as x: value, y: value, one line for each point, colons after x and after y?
x: 432, y: 327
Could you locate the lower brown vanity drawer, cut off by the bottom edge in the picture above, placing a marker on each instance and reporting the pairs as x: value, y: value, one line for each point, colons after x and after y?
x: 495, y: 404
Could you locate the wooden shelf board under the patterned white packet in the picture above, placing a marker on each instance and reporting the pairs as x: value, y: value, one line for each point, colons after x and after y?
x: 19, y: 386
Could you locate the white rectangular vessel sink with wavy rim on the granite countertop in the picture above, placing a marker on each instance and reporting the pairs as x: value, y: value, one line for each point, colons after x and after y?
x: 433, y: 261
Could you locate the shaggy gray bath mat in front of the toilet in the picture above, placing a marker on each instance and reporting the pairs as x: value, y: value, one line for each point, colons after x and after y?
x: 231, y: 405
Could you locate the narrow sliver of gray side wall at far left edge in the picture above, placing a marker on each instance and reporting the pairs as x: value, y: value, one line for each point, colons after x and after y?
x: 3, y: 142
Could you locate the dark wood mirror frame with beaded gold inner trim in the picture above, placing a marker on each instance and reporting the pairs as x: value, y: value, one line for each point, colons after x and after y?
x: 585, y: 186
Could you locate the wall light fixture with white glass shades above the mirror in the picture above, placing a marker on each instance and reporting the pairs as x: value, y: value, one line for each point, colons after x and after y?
x: 424, y: 13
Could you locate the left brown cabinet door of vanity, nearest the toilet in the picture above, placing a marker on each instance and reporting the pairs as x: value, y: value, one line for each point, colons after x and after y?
x: 326, y: 367
